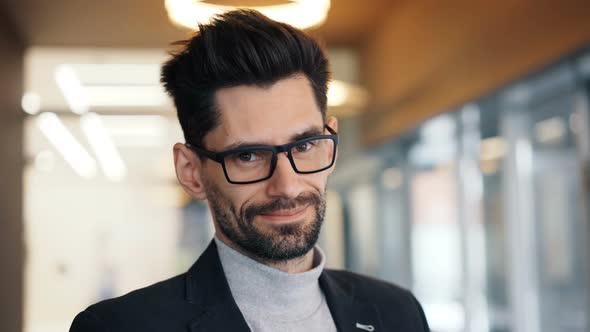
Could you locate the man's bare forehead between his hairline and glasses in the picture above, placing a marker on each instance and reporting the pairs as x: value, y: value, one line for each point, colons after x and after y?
x: 268, y: 115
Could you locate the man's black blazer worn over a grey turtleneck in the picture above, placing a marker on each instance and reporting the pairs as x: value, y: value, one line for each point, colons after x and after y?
x: 200, y: 300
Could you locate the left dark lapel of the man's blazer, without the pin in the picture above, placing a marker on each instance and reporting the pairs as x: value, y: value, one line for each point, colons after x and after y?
x: 207, y: 288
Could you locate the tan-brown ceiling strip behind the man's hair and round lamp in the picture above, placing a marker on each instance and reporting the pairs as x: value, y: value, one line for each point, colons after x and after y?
x: 144, y: 23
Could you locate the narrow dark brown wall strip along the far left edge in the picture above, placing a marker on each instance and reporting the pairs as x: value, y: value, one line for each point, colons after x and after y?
x: 11, y: 168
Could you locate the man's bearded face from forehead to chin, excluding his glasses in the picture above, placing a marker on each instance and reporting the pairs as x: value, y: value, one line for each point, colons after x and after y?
x: 279, y: 218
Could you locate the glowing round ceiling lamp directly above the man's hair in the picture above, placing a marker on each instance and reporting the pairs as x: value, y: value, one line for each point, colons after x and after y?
x: 299, y: 13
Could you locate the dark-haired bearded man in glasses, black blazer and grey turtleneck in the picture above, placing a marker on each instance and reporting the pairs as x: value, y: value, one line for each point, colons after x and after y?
x: 251, y: 99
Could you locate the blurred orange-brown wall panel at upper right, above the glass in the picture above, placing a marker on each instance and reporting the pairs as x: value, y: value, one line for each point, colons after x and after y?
x: 427, y: 57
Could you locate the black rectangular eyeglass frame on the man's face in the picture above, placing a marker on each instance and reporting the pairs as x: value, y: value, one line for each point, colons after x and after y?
x: 276, y: 149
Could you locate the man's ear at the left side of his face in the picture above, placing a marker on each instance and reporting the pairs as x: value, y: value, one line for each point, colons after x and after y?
x: 188, y: 171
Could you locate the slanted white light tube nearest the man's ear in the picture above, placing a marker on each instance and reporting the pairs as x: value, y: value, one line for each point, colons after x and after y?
x: 109, y: 158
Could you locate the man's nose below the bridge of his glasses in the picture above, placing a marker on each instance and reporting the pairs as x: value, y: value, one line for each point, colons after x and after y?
x: 285, y: 182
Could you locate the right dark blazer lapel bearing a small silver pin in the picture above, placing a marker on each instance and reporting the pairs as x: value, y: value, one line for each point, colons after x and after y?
x: 349, y: 314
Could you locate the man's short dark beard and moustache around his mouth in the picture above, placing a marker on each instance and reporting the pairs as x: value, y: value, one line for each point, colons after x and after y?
x: 280, y: 243
